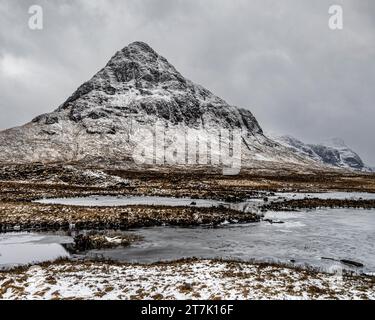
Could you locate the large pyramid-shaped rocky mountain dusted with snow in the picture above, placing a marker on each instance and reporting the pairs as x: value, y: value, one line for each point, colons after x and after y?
x: 103, y: 121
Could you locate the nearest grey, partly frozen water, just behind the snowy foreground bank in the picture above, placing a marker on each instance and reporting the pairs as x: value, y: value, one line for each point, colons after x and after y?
x: 304, y: 238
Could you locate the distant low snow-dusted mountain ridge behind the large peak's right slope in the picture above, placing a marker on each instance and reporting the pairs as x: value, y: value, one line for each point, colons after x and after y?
x: 333, y: 152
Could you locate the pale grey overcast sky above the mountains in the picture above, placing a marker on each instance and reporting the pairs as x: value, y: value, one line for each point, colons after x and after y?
x: 277, y: 58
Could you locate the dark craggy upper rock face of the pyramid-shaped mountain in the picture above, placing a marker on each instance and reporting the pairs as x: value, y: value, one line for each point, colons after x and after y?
x: 158, y: 90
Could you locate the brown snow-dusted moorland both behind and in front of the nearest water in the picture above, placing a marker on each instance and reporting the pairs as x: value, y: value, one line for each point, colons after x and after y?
x: 20, y: 185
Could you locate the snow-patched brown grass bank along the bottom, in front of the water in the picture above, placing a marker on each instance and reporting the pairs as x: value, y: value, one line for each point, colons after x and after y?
x: 189, y: 279
